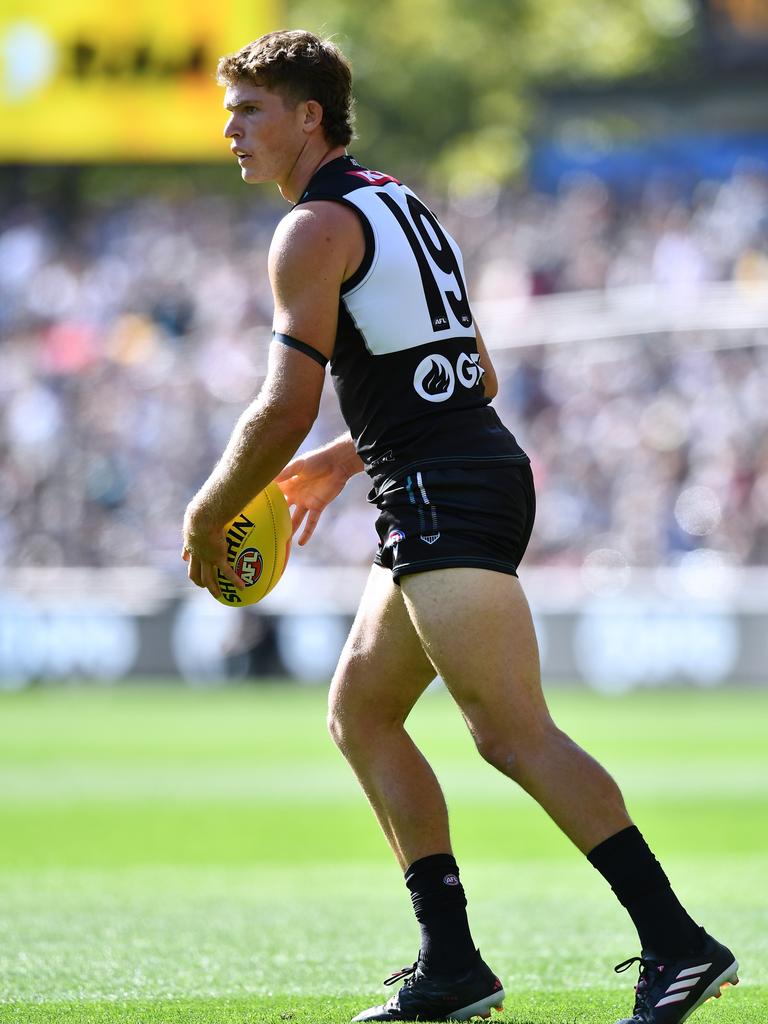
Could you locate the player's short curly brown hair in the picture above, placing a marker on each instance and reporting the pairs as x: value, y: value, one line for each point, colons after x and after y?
x: 300, y: 66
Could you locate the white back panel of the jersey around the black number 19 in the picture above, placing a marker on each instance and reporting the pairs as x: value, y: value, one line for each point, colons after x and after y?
x: 390, y: 307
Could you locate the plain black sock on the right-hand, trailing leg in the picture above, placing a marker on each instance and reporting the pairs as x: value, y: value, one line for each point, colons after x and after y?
x: 642, y: 886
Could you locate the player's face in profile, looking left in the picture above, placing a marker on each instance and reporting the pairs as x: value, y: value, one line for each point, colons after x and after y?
x: 267, y: 135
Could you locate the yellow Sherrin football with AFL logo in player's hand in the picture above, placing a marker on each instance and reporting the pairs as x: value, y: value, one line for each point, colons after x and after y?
x: 259, y: 543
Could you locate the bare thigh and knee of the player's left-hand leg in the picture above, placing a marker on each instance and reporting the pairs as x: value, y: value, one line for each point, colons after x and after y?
x: 383, y: 669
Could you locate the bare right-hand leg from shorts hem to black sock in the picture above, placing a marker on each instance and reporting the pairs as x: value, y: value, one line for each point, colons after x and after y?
x: 476, y: 627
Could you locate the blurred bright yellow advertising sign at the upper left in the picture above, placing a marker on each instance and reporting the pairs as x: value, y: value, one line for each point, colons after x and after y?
x: 94, y: 80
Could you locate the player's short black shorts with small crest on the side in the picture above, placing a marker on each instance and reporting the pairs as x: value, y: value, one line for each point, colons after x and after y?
x: 473, y: 517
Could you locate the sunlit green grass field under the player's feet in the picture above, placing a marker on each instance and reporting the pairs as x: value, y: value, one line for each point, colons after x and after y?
x: 173, y: 856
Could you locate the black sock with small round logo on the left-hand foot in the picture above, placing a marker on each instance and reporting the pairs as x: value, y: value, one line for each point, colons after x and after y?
x: 440, y: 905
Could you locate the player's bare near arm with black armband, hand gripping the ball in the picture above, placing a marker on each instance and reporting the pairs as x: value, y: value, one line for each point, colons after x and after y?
x: 310, y: 260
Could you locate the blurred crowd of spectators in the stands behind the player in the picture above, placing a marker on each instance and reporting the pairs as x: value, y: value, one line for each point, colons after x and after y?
x: 134, y: 336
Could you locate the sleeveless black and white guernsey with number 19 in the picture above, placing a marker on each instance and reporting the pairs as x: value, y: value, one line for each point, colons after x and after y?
x: 406, y: 365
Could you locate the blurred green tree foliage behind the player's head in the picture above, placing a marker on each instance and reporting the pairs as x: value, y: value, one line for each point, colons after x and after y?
x: 444, y: 87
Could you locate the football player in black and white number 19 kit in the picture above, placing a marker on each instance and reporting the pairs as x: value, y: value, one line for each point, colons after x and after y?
x: 366, y: 278
